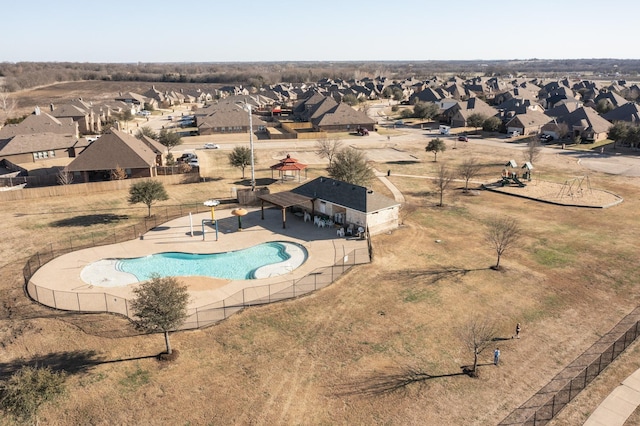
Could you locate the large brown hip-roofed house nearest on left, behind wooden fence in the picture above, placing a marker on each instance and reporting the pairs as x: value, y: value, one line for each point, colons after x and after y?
x: 114, y: 150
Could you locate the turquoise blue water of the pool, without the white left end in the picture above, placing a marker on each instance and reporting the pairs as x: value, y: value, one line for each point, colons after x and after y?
x: 233, y: 265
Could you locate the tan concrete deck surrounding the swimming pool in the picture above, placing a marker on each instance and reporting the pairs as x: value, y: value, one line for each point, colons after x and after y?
x: 324, y: 247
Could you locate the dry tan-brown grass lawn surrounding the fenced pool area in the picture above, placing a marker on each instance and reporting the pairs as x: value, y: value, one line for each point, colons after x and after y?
x: 341, y: 355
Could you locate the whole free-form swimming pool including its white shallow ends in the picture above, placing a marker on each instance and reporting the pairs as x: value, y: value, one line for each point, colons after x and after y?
x: 260, y: 261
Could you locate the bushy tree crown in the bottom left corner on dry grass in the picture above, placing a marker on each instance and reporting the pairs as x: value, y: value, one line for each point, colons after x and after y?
x: 28, y: 388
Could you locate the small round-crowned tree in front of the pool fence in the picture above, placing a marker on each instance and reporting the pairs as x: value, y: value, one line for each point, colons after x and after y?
x: 160, y: 304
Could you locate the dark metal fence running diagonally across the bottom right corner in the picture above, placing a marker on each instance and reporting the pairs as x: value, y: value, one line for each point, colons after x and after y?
x: 563, y: 388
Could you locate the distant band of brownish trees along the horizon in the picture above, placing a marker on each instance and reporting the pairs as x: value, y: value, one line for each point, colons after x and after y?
x: 25, y: 75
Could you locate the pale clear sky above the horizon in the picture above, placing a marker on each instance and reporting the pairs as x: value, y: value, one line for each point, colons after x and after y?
x: 130, y: 31
